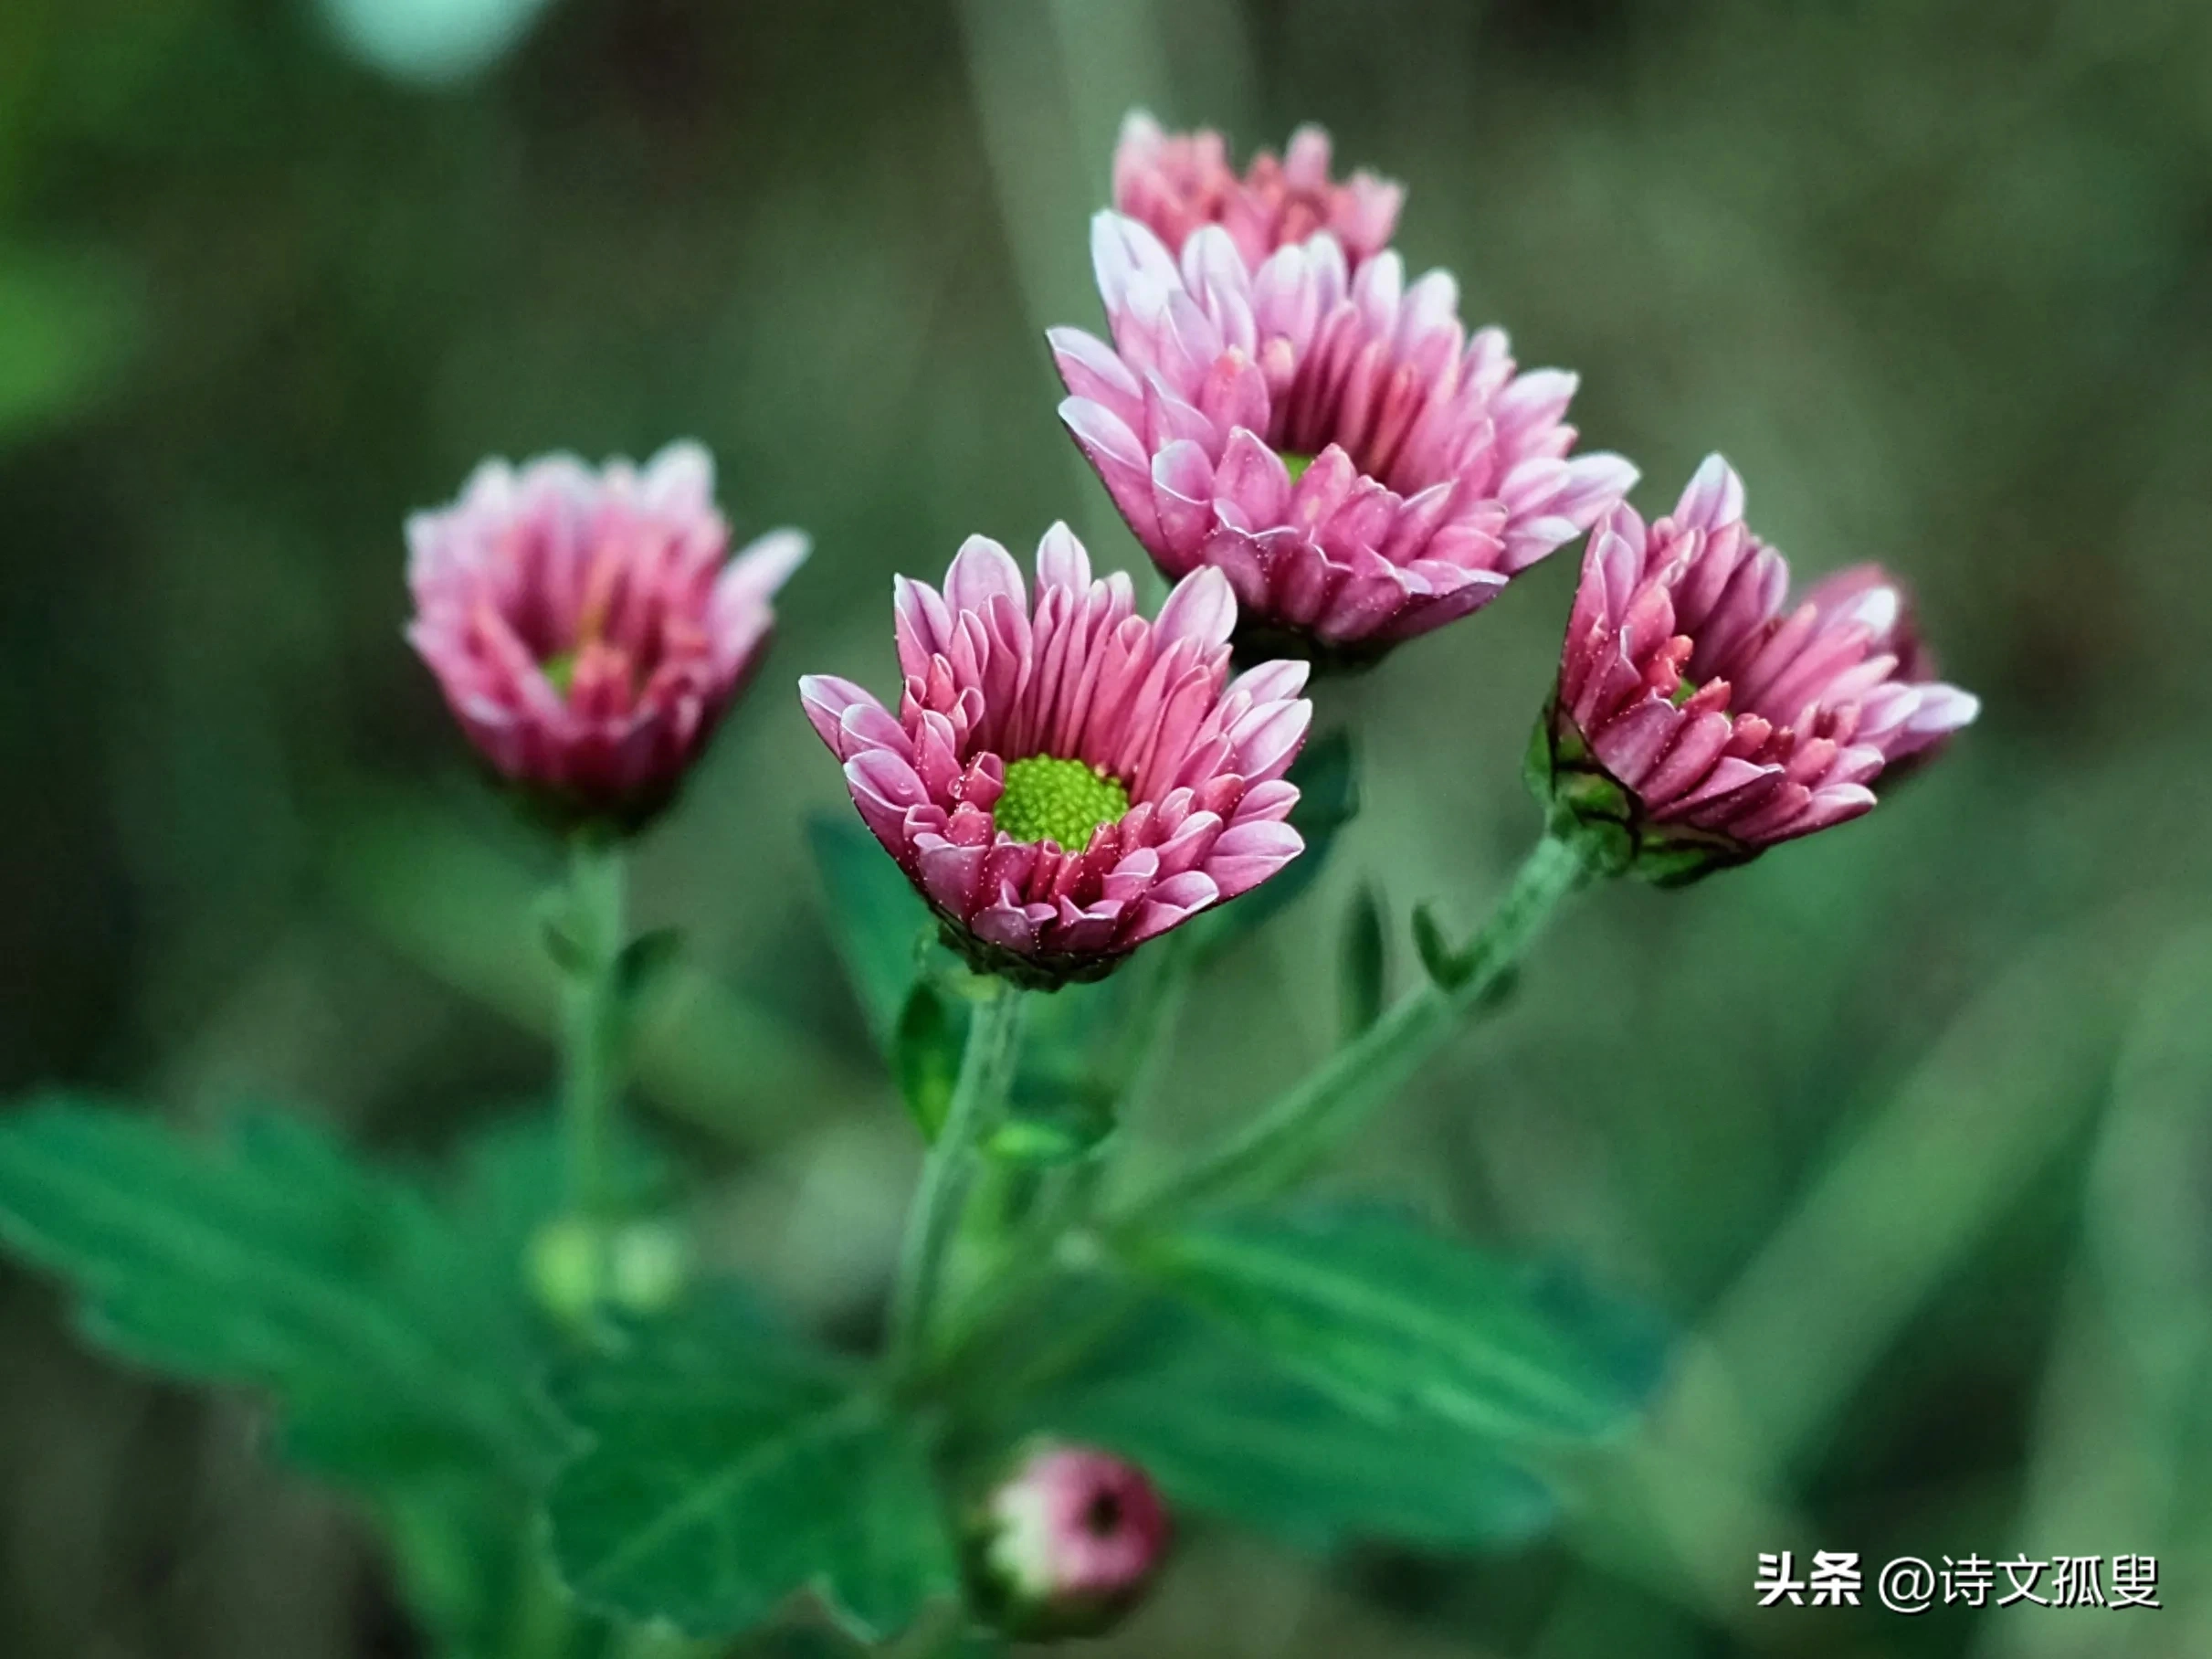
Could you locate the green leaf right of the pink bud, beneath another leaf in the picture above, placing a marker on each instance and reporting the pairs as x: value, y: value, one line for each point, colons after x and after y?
x: 1229, y: 1432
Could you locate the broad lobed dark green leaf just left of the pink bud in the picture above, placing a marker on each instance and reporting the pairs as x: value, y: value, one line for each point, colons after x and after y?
x: 731, y: 1470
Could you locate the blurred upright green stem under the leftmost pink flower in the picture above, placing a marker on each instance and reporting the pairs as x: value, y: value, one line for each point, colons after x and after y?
x: 592, y: 1023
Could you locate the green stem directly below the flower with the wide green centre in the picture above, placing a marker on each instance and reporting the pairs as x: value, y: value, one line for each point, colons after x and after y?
x: 950, y: 1171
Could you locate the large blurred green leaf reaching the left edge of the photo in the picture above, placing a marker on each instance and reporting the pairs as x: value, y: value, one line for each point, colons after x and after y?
x: 271, y: 1260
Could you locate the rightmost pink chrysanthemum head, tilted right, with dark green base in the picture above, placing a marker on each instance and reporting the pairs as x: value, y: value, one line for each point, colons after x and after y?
x: 1700, y: 720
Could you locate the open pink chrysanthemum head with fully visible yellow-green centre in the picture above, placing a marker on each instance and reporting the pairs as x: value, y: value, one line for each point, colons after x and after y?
x: 1067, y: 780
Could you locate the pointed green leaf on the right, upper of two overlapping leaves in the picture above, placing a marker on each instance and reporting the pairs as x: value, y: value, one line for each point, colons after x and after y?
x: 1408, y: 1328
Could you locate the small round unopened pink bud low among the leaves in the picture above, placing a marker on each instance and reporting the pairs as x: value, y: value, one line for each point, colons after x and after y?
x: 1070, y: 1543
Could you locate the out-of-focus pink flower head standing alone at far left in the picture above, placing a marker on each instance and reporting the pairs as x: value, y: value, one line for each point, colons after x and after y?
x: 585, y: 625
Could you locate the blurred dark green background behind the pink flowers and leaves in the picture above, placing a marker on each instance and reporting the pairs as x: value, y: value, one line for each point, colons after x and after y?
x: 1910, y: 1127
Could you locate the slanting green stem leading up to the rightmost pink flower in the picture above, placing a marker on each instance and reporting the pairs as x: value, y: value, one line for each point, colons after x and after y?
x: 1284, y: 1142
